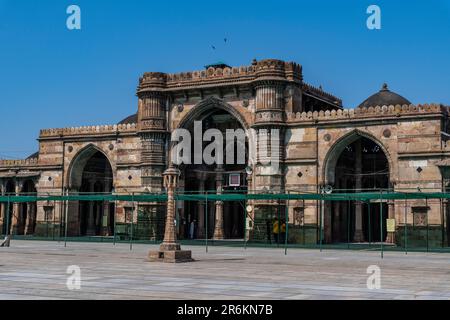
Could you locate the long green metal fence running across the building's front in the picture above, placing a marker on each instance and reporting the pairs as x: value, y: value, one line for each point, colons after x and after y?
x: 271, y: 224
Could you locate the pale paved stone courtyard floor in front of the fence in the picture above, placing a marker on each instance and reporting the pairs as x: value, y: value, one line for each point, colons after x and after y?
x: 38, y: 270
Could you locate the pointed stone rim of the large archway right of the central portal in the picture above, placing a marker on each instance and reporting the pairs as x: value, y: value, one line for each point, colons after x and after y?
x: 333, y: 154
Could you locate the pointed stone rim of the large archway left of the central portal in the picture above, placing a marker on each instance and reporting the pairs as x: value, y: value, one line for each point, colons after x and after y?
x: 75, y: 172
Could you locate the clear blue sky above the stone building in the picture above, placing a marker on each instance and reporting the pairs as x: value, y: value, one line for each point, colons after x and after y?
x: 53, y: 77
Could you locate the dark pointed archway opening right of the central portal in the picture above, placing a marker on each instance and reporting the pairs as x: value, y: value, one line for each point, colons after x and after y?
x: 359, y: 164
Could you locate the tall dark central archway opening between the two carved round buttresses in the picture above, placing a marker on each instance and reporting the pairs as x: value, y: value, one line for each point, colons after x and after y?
x: 196, y: 223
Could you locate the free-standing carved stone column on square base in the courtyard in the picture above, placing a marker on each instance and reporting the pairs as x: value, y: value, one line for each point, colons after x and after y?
x: 169, y: 250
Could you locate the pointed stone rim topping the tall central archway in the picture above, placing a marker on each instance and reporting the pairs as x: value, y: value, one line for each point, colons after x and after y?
x: 200, y: 111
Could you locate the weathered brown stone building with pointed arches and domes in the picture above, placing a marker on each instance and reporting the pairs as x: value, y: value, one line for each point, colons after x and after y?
x: 384, y: 143
